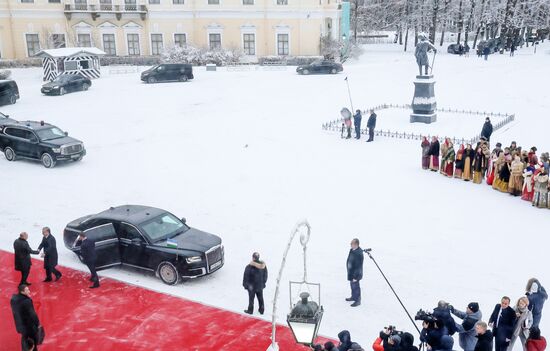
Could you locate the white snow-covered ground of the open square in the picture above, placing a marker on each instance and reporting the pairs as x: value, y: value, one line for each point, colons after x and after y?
x: 242, y: 154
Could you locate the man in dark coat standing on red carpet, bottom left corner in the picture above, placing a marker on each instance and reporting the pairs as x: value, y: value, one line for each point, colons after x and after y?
x: 24, y: 315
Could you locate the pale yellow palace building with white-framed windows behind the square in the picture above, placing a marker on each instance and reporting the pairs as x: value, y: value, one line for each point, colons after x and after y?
x: 138, y: 27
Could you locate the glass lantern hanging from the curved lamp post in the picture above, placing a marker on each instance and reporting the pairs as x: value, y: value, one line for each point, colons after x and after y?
x: 304, y: 320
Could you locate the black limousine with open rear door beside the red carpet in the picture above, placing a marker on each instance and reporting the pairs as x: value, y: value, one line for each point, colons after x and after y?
x: 150, y: 239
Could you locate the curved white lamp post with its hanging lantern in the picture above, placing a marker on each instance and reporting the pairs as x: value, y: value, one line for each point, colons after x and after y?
x: 305, y: 317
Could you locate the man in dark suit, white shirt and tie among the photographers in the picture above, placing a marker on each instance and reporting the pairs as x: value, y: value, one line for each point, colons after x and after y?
x: 502, y: 321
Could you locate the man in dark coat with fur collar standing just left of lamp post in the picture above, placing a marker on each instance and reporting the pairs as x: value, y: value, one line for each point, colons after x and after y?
x: 254, y: 279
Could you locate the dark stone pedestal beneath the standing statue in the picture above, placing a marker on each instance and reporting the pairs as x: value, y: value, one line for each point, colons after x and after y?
x: 424, y: 103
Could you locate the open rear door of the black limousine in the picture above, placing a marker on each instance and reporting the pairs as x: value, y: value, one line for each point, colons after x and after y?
x: 106, y: 245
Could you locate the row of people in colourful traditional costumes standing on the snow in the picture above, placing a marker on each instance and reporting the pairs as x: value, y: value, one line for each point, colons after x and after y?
x: 511, y: 170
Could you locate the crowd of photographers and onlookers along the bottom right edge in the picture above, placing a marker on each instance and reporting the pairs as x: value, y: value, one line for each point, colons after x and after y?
x: 505, y: 327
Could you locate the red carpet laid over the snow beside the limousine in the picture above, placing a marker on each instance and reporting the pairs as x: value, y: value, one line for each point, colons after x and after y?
x: 118, y: 316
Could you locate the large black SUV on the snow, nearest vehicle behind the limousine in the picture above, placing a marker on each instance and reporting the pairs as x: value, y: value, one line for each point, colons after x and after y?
x: 38, y: 141
